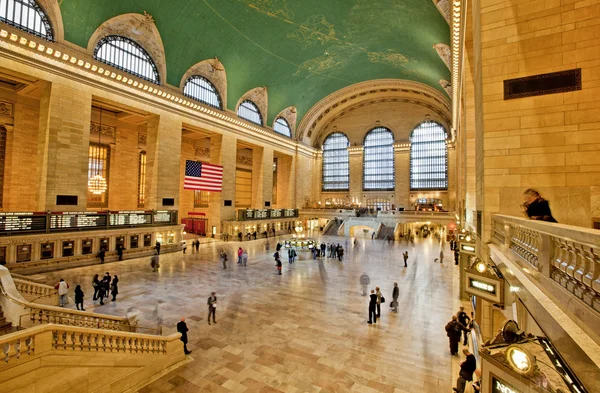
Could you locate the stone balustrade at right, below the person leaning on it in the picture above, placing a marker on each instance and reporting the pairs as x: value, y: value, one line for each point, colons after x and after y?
x: 568, y: 255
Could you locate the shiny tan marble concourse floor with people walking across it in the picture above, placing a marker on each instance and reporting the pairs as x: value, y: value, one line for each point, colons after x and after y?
x: 303, y: 331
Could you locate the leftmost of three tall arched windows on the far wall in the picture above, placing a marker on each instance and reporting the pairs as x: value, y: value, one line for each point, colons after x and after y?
x: 336, y: 163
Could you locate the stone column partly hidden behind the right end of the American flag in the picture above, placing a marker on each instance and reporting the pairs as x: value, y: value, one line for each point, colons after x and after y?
x: 223, y: 151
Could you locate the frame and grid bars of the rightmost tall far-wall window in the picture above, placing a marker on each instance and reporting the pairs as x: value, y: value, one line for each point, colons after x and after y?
x: 413, y: 145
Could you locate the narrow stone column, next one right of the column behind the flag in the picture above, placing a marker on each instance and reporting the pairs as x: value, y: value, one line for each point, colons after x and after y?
x: 262, y: 176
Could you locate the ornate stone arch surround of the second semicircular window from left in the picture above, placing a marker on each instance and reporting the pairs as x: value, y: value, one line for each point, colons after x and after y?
x: 141, y: 29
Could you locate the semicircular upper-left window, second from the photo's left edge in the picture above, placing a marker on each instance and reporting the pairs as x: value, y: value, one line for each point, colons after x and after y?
x: 127, y: 55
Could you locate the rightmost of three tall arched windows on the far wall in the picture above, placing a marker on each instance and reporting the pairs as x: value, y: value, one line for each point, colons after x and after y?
x: 428, y: 157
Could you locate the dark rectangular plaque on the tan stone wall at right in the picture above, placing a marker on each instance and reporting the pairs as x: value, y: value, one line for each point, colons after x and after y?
x: 537, y: 85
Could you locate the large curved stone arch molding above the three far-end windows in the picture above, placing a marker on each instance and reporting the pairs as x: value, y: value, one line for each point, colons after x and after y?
x: 321, y: 113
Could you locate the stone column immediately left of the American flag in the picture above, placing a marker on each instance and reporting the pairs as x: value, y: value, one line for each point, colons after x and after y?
x: 163, y: 154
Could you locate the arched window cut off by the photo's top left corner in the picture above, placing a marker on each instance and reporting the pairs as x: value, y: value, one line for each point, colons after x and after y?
x: 26, y: 15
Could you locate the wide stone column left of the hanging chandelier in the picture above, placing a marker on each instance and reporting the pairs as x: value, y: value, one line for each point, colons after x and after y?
x: 62, y: 148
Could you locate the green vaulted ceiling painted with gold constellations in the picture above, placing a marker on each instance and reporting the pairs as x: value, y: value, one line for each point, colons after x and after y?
x: 302, y: 50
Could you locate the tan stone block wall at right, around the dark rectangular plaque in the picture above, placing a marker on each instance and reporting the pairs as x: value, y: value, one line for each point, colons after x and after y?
x: 547, y: 142
